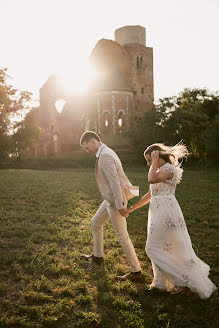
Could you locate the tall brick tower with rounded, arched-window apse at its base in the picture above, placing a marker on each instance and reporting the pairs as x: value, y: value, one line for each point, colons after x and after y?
x: 124, y: 87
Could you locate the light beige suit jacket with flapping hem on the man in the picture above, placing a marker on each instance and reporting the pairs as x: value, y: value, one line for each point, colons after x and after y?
x: 113, y: 184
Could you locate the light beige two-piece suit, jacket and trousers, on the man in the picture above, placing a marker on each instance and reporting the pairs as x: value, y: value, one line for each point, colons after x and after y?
x: 116, y: 189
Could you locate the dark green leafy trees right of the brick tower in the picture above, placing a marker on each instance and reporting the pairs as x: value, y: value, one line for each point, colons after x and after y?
x: 193, y: 117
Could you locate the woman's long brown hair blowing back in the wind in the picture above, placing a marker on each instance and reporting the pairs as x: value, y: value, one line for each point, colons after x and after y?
x: 171, y: 154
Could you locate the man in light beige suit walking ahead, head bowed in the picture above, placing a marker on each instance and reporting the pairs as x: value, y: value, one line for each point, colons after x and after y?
x: 116, y: 189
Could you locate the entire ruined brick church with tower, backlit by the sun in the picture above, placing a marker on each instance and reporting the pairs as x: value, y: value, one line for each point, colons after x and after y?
x: 122, y: 89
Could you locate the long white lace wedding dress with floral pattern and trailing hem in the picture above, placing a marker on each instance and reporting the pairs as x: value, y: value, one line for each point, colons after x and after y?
x: 169, y: 246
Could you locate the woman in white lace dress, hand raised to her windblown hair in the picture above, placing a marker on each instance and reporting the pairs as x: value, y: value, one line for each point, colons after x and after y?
x: 168, y: 245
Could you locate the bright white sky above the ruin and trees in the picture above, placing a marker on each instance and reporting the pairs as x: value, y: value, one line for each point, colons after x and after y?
x: 43, y: 37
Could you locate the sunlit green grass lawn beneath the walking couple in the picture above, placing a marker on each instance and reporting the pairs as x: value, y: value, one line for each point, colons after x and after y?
x: 45, y: 226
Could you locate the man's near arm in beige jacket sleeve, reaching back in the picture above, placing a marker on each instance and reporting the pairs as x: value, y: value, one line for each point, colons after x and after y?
x: 109, y: 168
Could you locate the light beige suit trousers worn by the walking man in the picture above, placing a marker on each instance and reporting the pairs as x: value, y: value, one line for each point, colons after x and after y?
x: 103, y: 214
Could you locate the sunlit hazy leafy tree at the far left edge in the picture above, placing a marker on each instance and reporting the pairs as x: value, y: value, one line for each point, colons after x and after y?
x: 12, y: 102
